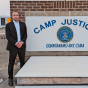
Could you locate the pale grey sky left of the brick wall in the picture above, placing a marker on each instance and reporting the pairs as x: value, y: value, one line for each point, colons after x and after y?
x: 4, y: 7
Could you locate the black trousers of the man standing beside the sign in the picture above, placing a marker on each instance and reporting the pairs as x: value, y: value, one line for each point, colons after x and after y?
x: 12, y: 57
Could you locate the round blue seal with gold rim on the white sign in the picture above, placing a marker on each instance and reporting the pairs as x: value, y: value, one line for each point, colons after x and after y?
x: 65, y: 34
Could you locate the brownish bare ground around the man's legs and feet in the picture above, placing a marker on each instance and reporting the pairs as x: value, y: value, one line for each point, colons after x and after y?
x: 4, y: 58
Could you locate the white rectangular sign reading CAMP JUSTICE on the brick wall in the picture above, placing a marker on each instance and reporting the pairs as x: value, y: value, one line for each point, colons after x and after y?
x: 57, y: 33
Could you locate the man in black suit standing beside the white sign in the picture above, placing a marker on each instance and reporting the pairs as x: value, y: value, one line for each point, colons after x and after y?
x: 16, y: 34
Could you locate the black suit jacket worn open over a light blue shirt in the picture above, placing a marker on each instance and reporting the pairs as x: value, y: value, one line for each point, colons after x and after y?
x: 11, y: 35
